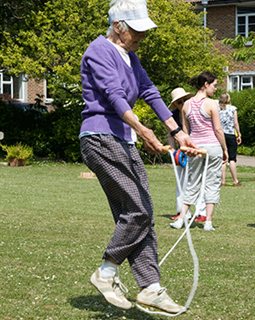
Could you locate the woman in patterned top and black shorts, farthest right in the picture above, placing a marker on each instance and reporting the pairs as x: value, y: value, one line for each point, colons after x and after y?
x: 230, y: 125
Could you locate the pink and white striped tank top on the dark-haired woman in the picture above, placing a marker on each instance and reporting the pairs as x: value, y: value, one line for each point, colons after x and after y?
x: 201, y: 126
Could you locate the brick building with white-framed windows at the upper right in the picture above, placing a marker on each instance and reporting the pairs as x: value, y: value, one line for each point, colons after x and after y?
x: 230, y: 18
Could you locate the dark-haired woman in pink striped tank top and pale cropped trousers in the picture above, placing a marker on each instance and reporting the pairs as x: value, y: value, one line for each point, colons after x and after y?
x: 201, y: 120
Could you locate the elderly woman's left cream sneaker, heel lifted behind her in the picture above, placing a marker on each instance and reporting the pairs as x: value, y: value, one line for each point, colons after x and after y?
x: 112, y: 289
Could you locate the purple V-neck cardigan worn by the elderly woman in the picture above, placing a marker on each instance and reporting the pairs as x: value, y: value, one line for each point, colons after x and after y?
x: 110, y: 87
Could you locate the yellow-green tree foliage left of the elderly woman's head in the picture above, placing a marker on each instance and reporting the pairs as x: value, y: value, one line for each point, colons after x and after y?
x: 52, y: 40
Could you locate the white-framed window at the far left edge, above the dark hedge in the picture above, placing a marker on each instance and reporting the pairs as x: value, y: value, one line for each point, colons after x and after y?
x: 11, y: 87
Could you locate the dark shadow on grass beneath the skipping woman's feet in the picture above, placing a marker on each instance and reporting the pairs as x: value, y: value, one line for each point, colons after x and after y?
x: 96, y: 303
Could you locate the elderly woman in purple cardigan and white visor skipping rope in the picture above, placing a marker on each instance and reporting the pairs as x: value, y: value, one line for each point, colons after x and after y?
x: 112, y: 80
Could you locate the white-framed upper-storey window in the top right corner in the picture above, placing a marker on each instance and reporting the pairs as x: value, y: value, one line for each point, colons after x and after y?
x: 245, y: 21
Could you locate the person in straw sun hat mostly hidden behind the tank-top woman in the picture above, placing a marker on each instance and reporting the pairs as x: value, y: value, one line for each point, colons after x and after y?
x: 179, y: 96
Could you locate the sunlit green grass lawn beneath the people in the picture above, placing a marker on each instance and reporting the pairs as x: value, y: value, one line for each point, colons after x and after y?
x: 54, y: 228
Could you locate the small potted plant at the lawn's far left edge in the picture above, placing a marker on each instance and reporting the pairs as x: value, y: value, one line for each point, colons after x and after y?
x: 17, y: 155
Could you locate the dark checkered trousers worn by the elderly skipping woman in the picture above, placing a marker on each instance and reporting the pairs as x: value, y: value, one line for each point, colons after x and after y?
x: 121, y: 173
